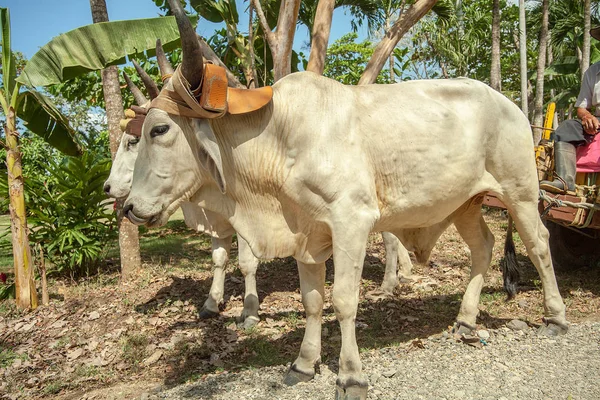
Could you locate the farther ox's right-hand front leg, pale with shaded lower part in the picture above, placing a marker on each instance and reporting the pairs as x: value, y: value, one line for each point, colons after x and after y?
x: 248, y: 266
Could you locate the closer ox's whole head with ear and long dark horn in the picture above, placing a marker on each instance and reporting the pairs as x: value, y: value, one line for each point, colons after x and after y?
x: 177, y: 154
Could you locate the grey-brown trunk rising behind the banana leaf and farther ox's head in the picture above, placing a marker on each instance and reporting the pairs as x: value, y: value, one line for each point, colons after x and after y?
x: 129, y: 244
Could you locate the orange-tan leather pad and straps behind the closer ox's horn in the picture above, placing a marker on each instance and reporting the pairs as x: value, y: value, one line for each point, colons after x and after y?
x: 213, y: 99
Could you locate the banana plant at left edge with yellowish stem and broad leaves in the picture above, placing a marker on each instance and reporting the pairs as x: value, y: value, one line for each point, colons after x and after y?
x: 90, y: 48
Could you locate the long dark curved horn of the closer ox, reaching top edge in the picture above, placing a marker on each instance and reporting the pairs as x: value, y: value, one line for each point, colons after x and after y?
x: 193, y: 63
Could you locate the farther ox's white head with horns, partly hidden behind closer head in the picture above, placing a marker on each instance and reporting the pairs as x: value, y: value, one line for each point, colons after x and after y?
x: 118, y: 183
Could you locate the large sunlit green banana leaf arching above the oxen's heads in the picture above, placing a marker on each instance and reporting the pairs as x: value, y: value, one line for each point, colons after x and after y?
x: 96, y: 46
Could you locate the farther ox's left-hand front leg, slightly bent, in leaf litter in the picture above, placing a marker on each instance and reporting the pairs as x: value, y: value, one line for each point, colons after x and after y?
x: 220, y: 256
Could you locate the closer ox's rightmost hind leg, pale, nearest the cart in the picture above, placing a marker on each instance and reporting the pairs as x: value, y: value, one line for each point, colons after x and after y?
x: 535, y: 236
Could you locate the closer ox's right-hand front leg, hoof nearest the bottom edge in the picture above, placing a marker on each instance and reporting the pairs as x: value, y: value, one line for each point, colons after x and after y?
x: 348, y: 259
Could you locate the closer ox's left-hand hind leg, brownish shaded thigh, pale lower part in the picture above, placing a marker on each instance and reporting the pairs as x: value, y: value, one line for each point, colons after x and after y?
x: 475, y: 232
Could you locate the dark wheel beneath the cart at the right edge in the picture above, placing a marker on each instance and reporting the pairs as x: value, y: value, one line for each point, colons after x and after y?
x: 571, y: 249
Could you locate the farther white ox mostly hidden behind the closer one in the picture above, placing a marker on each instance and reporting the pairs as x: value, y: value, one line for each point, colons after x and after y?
x: 118, y: 186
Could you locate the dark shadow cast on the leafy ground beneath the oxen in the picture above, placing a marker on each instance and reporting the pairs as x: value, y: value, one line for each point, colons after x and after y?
x: 382, y: 323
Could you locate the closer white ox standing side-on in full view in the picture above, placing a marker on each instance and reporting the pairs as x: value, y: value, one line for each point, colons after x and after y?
x: 323, y: 165
